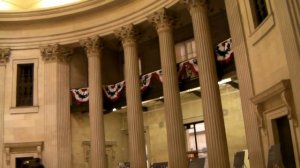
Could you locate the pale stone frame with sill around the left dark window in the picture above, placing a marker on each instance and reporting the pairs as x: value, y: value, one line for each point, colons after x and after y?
x: 24, y: 109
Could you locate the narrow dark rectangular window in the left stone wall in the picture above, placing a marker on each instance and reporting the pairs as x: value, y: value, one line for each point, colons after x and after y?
x: 24, y: 85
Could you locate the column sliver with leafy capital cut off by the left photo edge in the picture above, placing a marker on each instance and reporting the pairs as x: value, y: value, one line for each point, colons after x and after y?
x: 4, y: 57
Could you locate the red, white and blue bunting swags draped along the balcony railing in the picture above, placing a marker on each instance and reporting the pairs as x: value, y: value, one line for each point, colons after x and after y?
x: 186, y: 70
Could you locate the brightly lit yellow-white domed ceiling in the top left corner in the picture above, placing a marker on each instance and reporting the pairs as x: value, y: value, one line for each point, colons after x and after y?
x: 28, y: 5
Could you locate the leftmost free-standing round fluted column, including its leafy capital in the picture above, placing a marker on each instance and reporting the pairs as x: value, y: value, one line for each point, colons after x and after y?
x: 93, y: 49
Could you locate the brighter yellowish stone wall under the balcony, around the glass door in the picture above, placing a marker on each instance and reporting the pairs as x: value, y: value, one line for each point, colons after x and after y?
x: 192, y: 112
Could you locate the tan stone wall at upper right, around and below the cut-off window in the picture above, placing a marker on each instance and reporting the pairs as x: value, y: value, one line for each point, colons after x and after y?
x: 265, y: 48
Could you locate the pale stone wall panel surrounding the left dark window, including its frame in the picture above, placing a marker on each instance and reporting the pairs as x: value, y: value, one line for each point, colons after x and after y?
x: 24, y: 124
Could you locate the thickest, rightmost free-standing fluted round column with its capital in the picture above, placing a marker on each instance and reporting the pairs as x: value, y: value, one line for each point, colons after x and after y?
x: 217, y: 149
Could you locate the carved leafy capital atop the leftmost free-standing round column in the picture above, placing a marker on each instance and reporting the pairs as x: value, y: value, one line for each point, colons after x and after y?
x: 92, y: 45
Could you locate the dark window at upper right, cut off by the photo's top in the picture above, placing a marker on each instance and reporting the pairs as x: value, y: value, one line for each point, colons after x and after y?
x: 260, y: 11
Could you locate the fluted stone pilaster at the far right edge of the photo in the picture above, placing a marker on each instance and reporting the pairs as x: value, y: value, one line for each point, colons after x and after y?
x: 288, y: 16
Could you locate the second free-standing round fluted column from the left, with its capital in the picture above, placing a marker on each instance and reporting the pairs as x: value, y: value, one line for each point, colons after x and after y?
x: 137, y: 151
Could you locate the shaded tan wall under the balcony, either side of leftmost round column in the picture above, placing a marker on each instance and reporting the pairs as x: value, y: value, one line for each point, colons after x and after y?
x: 115, y: 136
